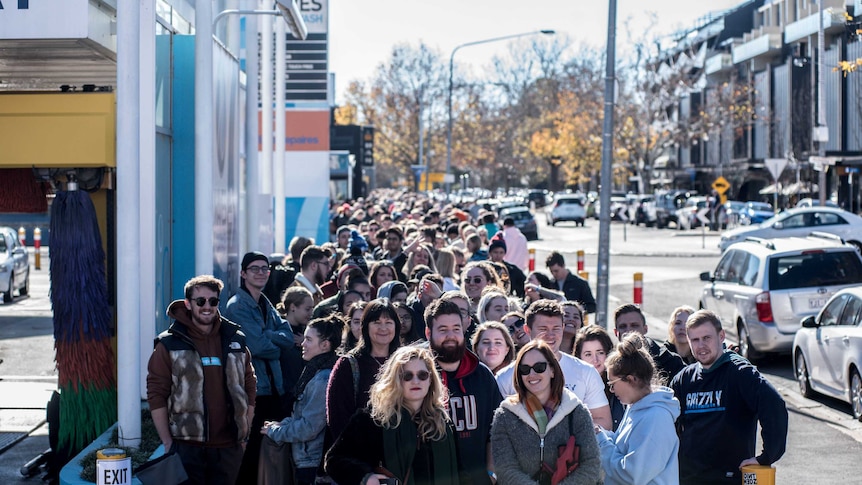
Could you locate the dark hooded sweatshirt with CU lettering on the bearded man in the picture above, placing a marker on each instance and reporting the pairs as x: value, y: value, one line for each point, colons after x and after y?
x: 473, y: 397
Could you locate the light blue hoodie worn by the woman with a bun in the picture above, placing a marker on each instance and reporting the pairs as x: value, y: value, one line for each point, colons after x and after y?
x: 644, y: 448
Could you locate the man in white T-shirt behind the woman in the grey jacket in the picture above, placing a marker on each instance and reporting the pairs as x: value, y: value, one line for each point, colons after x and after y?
x: 545, y: 322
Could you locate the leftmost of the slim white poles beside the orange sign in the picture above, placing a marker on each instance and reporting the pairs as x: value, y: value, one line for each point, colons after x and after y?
x: 252, y: 182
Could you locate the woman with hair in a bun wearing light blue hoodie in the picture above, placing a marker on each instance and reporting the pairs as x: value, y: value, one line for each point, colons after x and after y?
x: 644, y: 448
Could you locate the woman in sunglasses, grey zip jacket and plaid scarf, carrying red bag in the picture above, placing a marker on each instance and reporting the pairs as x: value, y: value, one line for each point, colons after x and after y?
x: 532, y: 428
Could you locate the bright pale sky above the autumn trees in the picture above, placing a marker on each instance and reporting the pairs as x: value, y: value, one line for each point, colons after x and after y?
x: 362, y: 32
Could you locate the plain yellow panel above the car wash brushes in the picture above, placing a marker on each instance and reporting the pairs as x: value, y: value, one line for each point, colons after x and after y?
x: 54, y: 130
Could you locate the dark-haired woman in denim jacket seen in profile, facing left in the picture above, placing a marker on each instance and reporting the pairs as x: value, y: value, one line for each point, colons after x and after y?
x: 305, y: 428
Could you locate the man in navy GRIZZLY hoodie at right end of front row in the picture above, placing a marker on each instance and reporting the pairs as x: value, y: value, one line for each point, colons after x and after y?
x: 722, y: 398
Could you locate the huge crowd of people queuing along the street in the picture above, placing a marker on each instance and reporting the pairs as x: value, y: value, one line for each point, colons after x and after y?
x: 416, y: 347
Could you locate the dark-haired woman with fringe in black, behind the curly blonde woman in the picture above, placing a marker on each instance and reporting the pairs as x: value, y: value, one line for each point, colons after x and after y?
x: 354, y: 373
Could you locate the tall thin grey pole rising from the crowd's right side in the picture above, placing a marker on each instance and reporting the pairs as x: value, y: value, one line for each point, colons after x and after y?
x: 607, y: 161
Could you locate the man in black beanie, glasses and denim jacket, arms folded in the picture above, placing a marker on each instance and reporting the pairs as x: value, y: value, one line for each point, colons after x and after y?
x: 266, y: 334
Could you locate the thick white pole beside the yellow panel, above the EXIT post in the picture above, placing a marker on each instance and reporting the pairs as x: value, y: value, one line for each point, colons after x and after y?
x: 128, y: 228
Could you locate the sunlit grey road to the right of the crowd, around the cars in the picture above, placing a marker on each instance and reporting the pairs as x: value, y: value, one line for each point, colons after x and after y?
x: 824, y: 441
